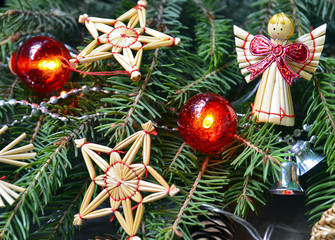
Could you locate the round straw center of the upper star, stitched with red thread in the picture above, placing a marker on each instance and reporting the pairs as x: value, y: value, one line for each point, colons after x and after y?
x: 122, y: 37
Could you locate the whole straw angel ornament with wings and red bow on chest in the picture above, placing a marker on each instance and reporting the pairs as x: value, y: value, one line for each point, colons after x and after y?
x: 280, y: 62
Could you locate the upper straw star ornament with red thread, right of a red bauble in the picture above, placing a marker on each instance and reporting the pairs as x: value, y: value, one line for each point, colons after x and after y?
x: 119, y: 40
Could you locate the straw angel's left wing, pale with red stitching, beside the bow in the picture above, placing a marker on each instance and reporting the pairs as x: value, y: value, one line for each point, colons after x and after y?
x: 244, y: 57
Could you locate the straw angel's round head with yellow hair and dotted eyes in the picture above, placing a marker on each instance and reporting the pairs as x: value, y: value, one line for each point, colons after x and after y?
x: 280, y: 26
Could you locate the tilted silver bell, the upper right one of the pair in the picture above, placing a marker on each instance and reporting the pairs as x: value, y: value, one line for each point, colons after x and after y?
x: 306, y: 159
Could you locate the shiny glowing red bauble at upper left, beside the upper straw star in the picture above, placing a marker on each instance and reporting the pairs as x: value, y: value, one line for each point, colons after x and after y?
x: 39, y: 64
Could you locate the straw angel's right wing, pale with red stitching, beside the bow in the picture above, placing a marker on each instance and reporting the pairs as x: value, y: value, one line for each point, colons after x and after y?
x: 314, y: 41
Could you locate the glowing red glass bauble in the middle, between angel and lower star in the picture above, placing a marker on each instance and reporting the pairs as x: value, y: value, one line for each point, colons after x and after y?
x: 207, y: 122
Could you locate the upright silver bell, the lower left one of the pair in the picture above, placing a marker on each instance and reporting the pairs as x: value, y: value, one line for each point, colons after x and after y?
x: 288, y: 183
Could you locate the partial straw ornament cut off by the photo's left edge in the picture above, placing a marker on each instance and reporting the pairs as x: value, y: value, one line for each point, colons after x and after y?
x: 13, y: 157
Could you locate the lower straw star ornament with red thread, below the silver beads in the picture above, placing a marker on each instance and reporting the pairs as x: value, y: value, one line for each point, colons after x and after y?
x: 122, y: 181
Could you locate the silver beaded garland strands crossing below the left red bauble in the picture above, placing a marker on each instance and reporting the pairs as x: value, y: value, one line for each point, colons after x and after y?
x: 43, y: 108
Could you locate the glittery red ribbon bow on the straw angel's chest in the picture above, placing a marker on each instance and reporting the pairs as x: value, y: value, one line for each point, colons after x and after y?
x: 261, y: 45
